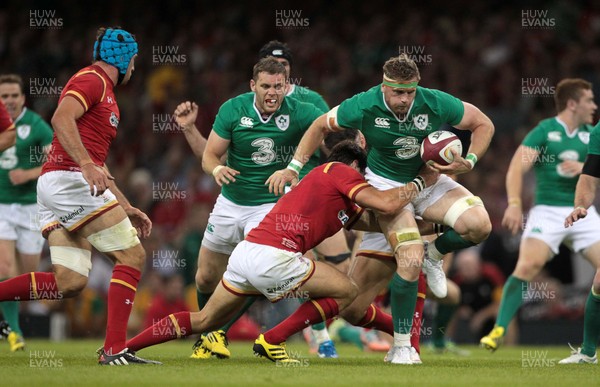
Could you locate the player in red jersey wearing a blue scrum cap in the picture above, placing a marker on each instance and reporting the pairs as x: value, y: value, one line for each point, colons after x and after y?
x: 79, y: 203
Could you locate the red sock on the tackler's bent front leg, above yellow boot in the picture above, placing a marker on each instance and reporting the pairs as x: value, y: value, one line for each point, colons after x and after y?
x: 309, y: 313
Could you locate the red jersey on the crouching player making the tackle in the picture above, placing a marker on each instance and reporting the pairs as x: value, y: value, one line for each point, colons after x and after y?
x: 316, y: 209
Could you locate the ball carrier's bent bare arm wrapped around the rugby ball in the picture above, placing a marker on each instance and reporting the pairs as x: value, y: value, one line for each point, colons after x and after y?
x: 482, y: 131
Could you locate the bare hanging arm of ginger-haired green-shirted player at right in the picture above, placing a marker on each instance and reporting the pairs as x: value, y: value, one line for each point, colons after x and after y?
x: 522, y: 161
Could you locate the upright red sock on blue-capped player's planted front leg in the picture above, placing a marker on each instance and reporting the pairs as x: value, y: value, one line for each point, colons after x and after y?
x: 121, y: 294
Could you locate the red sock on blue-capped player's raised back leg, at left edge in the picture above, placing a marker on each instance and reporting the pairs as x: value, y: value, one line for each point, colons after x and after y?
x: 30, y: 286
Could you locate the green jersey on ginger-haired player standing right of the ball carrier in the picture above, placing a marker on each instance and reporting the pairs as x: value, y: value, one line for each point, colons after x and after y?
x: 555, y: 145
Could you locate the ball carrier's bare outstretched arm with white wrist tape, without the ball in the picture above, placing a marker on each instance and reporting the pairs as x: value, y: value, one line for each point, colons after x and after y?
x: 310, y: 141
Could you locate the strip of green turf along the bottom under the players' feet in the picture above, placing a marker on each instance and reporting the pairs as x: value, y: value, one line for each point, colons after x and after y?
x: 45, y: 363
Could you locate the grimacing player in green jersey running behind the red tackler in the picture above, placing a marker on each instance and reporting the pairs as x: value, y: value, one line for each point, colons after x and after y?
x: 258, y: 132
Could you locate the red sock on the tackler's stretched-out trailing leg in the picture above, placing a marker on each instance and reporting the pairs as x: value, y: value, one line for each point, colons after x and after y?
x: 174, y: 326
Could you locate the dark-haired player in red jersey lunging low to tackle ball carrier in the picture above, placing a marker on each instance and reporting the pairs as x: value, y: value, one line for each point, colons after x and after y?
x: 270, y: 261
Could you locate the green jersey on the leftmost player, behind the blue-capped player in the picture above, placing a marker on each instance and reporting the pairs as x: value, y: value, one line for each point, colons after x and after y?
x: 33, y: 134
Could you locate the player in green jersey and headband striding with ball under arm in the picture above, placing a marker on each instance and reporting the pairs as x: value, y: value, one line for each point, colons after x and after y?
x: 395, y: 116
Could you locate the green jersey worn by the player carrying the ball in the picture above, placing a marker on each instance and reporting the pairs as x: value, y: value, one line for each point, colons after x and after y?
x: 394, y: 144
